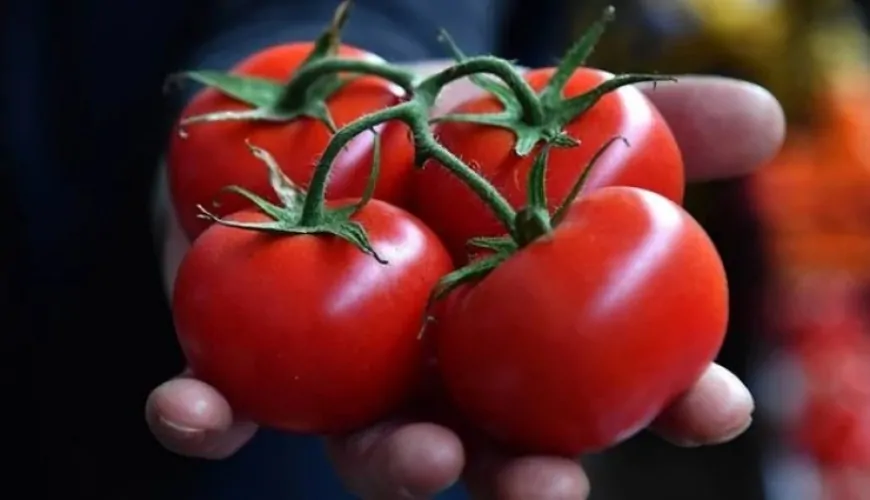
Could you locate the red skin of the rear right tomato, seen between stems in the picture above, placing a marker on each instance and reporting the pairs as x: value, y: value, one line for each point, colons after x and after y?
x: 653, y: 160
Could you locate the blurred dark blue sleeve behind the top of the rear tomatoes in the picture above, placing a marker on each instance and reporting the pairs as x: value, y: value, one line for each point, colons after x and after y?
x: 397, y: 30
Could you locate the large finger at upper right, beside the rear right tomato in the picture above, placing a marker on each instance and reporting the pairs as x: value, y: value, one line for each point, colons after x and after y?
x: 724, y: 127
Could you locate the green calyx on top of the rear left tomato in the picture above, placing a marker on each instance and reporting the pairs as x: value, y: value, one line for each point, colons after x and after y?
x: 275, y: 101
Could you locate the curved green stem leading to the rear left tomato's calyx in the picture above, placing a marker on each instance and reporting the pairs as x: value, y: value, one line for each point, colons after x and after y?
x: 309, y: 74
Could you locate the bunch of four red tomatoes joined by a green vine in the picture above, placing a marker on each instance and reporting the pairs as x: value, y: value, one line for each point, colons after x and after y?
x: 522, y: 260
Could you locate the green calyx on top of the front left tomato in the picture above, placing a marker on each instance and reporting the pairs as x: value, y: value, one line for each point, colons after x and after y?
x: 290, y: 217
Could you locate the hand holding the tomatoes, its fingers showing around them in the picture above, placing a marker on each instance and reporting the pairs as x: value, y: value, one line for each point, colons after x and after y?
x: 725, y: 128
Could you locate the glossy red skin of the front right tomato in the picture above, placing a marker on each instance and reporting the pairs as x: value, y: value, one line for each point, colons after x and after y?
x: 581, y: 338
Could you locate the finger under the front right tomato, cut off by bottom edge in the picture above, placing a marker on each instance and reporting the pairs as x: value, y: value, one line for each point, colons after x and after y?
x: 493, y: 476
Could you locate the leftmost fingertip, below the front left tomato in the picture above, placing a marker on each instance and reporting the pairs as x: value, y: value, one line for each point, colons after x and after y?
x: 189, y: 417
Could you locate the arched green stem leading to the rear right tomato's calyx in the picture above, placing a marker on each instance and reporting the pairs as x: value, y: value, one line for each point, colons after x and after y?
x: 533, y: 111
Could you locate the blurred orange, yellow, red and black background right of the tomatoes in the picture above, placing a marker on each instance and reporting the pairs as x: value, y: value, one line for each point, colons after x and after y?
x: 795, y: 237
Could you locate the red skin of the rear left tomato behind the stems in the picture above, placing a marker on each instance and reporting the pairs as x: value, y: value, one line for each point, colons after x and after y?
x: 214, y: 155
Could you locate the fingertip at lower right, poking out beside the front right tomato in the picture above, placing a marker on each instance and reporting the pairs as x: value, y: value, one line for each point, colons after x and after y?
x: 718, y: 408
